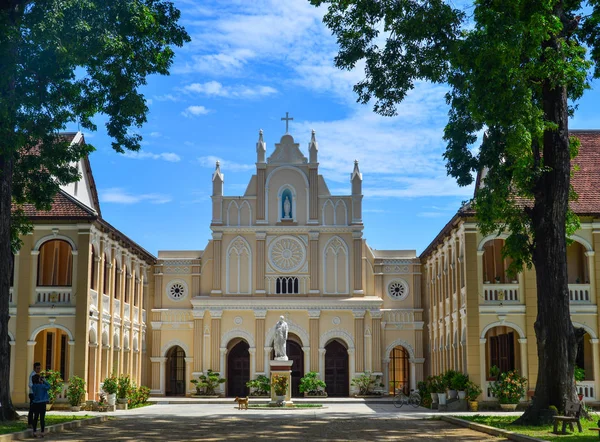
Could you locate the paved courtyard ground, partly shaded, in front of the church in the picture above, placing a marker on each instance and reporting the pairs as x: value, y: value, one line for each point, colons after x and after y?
x: 223, y: 422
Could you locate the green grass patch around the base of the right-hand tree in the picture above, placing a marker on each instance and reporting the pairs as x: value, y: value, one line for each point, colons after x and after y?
x: 543, y: 432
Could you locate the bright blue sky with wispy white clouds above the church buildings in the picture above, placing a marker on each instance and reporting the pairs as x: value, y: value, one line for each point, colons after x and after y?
x: 247, y: 65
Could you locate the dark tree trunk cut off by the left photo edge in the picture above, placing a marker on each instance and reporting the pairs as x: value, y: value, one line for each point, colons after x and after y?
x: 7, y: 411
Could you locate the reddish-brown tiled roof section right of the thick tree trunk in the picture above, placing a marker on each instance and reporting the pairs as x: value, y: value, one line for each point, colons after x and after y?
x: 586, y: 180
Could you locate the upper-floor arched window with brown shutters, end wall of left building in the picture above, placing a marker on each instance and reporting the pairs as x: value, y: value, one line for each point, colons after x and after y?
x: 55, y: 264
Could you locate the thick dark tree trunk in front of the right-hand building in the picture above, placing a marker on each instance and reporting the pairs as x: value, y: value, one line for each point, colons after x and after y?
x: 555, y: 334
